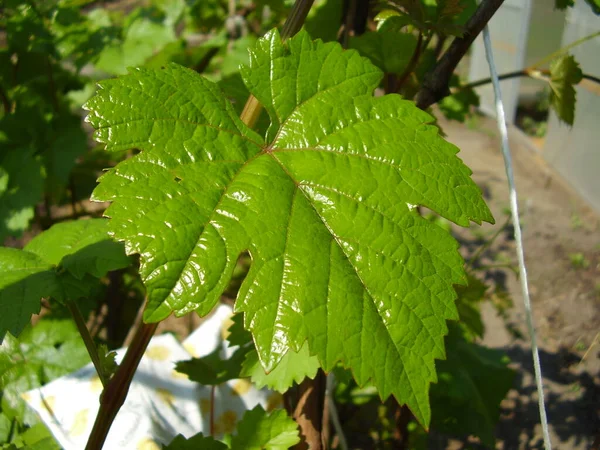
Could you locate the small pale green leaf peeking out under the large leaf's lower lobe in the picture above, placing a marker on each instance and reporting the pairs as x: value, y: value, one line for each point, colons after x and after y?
x: 293, y: 368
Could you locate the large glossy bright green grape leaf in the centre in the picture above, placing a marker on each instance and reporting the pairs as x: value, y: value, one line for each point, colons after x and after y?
x: 326, y: 208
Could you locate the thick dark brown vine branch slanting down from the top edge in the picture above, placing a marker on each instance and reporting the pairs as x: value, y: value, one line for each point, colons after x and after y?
x: 435, y: 87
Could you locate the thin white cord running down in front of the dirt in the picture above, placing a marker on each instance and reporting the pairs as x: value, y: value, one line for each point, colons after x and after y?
x: 518, y: 238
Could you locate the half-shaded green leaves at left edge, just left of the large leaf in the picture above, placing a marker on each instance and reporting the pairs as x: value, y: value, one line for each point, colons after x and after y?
x: 61, y: 263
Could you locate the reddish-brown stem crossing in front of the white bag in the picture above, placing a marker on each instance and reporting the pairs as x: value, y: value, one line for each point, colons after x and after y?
x: 114, y: 394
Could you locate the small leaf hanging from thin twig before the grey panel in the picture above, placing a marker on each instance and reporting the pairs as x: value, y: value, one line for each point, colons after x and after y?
x: 564, y: 74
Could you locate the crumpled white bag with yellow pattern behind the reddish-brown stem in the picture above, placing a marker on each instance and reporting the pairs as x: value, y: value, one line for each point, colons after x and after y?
x: 161, y: 402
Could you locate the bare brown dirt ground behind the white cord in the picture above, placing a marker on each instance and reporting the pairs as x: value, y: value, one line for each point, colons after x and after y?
x: 562, y: 251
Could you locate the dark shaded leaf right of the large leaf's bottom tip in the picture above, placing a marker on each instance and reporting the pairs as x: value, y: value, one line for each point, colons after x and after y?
x: 473, y: 380
